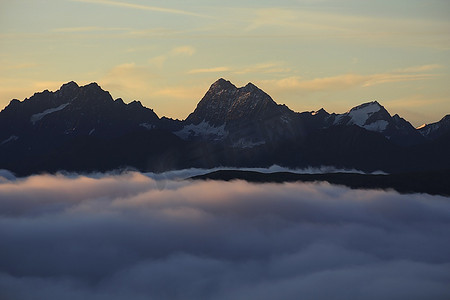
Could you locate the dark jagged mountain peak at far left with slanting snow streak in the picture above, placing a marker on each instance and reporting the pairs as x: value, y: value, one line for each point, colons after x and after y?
x: 78, y: 109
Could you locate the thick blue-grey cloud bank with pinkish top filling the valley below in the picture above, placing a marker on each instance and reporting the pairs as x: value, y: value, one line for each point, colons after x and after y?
x: 133, y: 237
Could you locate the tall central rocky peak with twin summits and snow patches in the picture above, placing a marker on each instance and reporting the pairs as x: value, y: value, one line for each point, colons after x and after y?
x: 243, y: 117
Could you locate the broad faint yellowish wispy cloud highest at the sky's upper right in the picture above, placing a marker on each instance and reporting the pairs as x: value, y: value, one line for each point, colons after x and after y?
x: 356, y: 28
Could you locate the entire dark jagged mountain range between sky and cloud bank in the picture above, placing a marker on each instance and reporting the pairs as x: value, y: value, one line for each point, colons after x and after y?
x: 82, y: 128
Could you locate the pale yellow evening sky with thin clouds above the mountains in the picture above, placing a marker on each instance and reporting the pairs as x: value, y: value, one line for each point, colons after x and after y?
x: 307, y: 54
